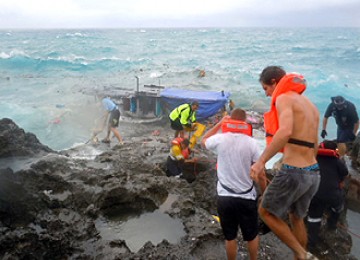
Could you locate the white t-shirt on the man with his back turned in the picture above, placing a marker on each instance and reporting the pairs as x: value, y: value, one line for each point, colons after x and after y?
x: 235, y: 155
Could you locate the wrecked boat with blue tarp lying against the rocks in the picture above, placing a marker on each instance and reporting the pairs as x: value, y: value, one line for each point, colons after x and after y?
x: 155, y: 102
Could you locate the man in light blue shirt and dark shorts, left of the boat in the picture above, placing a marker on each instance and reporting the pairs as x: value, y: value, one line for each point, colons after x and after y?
x: 113, y: 113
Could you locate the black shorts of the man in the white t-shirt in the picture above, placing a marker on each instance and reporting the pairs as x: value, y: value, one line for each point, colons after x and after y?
x: 237, y: 212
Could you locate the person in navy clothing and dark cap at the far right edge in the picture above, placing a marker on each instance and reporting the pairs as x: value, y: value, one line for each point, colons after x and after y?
x: 347, y: 121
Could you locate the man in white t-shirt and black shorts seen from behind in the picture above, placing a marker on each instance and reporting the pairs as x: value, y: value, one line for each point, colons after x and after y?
x: 237, y: 196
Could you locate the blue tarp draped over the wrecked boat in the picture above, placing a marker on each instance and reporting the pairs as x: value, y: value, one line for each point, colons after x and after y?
x: 210, y: 101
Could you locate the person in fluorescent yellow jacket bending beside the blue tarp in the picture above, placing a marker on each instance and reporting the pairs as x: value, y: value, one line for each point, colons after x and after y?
x: 183, y: 118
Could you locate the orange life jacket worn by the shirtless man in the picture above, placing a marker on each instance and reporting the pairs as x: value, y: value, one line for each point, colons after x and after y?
x: 290, y: 82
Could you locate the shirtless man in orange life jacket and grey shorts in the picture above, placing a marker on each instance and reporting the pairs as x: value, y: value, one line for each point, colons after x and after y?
x: 292, y: 127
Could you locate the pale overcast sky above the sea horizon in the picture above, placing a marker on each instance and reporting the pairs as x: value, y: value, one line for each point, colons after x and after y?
x: 179, y: 13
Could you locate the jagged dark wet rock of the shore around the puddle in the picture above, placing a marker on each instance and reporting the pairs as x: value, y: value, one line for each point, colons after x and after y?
x: 52, y: 209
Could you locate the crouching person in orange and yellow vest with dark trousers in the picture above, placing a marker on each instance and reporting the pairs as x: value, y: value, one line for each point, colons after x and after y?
x: 179, y: 152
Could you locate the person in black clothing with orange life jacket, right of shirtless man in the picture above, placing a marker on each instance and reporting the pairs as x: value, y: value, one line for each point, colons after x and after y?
x: 330, y: 195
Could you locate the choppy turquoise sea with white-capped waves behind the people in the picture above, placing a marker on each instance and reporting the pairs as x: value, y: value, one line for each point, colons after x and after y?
x: 46, y: 75
